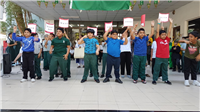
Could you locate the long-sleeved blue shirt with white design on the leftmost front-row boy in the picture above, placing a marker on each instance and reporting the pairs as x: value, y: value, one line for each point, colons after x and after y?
x: 28, y: 43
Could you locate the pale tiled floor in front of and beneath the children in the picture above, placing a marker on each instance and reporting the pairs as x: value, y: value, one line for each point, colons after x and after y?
x: 73, y: 95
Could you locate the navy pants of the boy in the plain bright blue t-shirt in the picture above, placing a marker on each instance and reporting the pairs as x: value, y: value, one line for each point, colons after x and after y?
x: 112, y: 61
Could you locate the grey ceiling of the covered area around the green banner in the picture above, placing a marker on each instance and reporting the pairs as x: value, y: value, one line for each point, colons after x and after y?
x: 51, y: 13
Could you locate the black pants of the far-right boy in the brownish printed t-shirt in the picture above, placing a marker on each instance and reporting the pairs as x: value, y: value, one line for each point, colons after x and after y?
x: 190, y: 65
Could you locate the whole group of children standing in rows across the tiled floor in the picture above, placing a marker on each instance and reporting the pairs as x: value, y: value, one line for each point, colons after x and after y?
x: 57, y: 52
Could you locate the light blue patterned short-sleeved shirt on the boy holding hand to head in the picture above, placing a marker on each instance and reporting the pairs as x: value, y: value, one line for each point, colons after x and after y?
x: 90, y: 45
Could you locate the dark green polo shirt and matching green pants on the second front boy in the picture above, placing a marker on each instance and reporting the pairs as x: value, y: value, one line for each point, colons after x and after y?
x: 60, y: 46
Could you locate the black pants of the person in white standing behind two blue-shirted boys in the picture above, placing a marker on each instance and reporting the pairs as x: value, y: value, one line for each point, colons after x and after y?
x: 125, y: 60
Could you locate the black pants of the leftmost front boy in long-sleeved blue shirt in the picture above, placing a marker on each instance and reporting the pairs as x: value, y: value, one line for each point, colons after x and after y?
x: 28, y: 64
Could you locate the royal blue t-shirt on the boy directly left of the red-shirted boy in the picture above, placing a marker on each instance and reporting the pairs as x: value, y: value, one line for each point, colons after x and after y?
x: 140, y: 46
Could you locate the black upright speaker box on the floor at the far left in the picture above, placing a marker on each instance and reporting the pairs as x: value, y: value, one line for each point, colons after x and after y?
x: 7, y: 64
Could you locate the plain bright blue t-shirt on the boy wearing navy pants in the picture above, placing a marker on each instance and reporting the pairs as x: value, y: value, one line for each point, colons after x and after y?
x: 113, y: 46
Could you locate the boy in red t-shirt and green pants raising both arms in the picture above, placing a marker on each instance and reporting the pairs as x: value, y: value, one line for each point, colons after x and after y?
x: 162, y: 53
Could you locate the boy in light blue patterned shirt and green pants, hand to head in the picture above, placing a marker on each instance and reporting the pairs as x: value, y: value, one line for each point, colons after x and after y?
x: 91, y: 50
